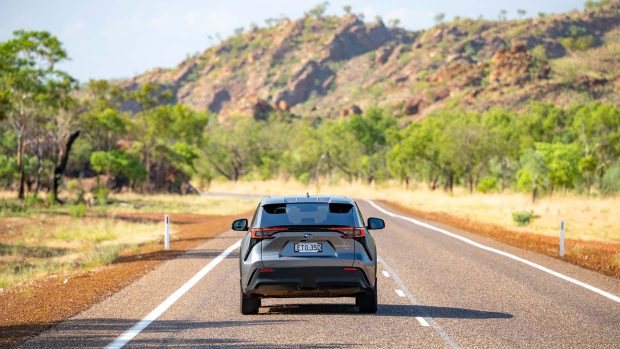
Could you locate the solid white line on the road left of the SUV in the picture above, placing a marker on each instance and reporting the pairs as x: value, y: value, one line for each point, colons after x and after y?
x: 123, y: 339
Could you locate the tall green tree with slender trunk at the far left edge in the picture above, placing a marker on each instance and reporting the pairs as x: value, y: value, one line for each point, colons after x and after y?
x: 30, y: 83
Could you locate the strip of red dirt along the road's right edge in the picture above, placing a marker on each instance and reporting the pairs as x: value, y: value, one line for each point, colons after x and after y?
x: 593, y: 255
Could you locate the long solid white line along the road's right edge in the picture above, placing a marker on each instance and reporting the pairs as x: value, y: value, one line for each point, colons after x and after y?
x: 493, y: 250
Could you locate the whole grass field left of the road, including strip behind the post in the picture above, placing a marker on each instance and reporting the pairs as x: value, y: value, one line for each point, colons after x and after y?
x: 47, y: 241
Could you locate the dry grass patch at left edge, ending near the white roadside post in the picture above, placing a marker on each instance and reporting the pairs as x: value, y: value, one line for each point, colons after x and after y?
x: 58, y: 244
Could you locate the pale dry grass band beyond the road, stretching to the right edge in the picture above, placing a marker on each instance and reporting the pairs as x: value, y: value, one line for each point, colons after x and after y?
x: 586, y: 218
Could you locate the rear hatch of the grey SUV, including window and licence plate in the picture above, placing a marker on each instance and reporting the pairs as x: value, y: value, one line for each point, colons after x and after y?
x: 308, y: 235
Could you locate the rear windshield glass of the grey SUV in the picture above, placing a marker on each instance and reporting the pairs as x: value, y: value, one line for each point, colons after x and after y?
x: 321, y: 214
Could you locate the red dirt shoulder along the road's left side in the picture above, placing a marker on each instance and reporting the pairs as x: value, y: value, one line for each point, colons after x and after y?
x: 30, y: 309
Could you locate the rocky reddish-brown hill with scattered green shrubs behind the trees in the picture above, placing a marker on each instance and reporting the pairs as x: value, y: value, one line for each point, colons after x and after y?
x: 328, y: 66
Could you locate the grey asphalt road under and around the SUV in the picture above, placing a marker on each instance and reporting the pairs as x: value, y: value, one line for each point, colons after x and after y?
x: 434, y: 291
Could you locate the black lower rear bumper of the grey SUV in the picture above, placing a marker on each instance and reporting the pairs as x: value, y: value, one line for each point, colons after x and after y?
x: 308, y: 282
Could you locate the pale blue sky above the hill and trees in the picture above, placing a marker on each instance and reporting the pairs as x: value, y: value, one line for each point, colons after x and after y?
x: 116, y: 38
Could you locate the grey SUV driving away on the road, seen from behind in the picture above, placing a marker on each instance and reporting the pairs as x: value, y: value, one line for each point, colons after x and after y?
x: 308, y: 246
